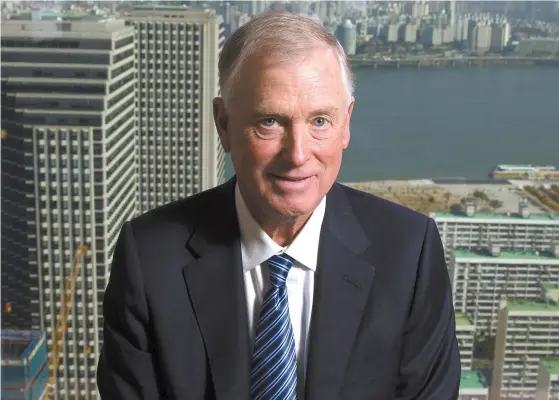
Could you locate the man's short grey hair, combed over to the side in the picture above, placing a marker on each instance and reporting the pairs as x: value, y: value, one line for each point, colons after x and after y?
x: 282, y: 35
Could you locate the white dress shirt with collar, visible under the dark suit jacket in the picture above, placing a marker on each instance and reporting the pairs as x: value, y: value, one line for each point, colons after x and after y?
x: 256, y: 248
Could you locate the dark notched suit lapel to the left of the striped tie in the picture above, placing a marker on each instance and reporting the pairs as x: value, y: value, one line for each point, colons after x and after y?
x: 216, y: 288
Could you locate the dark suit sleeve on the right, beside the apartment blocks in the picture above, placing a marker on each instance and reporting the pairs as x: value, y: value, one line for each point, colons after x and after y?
x: 430, y: 364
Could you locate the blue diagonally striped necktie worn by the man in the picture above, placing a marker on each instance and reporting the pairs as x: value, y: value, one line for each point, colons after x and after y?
x: 274, y: 365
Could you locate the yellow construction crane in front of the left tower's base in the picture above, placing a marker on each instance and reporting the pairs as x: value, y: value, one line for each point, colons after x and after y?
x: 59, y: 334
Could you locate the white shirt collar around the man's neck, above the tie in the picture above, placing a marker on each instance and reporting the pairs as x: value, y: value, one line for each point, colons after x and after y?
x: 257, y: 246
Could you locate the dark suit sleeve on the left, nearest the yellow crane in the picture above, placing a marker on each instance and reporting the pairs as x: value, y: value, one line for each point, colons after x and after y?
x: 126, y: 366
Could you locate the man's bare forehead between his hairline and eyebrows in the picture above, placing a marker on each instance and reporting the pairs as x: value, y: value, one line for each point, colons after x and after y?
x: 313, y: 81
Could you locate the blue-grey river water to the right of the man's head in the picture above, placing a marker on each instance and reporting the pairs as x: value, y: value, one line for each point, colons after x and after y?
x: 455, y: 122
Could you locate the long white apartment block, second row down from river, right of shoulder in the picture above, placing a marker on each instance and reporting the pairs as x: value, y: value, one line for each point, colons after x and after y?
x: 480, y: 278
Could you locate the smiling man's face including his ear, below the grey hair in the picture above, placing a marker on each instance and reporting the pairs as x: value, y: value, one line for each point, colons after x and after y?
x: 286, y: 128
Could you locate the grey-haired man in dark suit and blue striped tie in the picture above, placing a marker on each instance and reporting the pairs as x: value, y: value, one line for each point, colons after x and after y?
x: 280, y: 284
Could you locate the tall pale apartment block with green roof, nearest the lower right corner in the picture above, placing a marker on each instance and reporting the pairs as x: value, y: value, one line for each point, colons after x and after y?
x: 527, y: 333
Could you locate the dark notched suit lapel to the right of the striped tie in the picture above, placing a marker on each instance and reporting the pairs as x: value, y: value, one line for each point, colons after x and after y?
x: 342, y: 285
